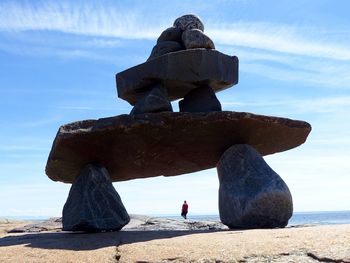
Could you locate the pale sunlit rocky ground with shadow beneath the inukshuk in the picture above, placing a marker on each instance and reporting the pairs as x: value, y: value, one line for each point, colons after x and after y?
x: 147, y: 239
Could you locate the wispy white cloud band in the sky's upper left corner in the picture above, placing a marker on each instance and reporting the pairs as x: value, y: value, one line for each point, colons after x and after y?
x: 75, y: 18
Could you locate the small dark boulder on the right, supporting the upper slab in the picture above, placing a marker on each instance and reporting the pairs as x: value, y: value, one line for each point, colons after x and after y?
x: 200, y: 100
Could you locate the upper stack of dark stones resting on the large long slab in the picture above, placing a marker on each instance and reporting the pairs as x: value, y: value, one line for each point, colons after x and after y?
x: 183, y: 65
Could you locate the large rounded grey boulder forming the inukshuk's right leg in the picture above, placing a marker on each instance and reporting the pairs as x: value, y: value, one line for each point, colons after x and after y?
x: 251, y: 194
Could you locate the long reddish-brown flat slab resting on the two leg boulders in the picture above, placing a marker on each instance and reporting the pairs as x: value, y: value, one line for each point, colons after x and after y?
x: 153, y: 144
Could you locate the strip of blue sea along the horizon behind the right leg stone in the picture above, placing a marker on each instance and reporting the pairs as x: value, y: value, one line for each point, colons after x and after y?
x: 298, y: 218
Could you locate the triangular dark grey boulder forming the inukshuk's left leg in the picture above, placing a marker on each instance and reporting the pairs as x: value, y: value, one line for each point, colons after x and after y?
x: 93, y: 205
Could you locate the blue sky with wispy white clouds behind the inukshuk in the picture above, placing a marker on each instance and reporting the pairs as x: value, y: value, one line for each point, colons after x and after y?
x: 58, y: 61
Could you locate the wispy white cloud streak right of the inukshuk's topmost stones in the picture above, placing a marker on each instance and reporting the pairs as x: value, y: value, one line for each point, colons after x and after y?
x: 279, y: 38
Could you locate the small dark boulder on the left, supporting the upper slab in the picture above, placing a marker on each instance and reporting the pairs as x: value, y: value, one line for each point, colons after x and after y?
x: 155, y: 101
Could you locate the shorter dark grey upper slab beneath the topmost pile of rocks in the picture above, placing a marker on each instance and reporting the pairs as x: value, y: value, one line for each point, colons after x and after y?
x: 179, y: 72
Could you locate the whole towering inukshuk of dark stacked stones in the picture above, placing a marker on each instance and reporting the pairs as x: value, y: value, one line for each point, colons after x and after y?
x: 155, y: 141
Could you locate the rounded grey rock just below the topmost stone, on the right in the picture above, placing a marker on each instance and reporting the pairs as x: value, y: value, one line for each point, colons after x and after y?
x: 195, y: 38
